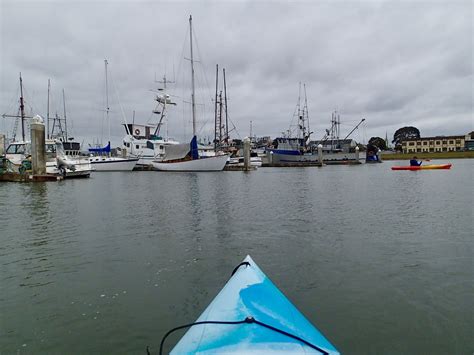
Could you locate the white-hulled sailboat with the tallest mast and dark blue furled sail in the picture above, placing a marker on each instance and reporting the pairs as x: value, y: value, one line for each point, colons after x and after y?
x: 185, y: 157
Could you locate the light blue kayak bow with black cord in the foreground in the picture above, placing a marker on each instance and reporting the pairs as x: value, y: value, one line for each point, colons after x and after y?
x: 251, y: 315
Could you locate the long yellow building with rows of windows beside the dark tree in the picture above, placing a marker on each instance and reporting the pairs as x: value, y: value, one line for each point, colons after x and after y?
x: 434, y: 144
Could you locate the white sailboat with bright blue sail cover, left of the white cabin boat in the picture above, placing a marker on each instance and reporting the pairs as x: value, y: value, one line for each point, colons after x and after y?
x: 100, y: 158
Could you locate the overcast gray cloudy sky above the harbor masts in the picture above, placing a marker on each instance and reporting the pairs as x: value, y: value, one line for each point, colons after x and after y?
x: 394, y: 63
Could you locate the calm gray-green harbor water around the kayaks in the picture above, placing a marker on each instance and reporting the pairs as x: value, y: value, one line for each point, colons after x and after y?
x: 379, y: 261
